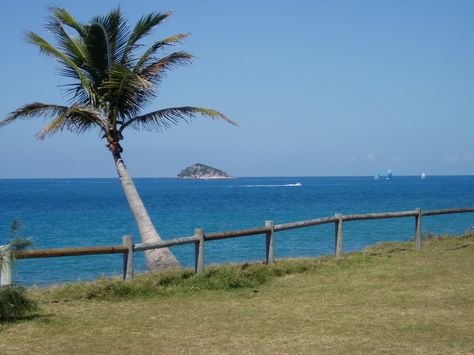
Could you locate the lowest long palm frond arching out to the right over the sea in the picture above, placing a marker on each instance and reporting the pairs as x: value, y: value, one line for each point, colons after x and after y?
x: 165, y: 118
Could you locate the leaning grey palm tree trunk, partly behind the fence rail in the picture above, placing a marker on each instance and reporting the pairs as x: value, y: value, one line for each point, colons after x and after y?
x: 156, y: 259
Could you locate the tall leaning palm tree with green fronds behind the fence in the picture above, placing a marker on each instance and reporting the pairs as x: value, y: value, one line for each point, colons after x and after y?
x: 111, y: 81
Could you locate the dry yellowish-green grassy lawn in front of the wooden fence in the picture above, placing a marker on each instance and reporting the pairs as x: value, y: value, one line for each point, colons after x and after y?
x: 387, y: 299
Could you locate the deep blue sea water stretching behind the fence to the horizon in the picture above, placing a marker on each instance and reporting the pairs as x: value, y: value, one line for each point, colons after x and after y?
x: 89, y: 212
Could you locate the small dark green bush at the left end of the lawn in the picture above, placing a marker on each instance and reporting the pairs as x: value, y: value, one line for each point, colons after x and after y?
x: 14, y: 304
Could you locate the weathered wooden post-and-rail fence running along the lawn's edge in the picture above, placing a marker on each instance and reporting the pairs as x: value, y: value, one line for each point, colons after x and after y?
x: 199, y: 238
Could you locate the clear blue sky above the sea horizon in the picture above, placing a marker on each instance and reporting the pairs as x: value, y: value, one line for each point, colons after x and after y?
x: 319, y: 88
